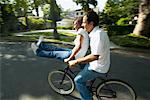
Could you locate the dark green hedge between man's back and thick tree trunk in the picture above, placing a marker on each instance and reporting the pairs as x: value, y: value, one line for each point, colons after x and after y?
x: 119, y: 30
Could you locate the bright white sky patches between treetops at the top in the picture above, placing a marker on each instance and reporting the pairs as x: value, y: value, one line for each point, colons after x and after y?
x: 69, y: 4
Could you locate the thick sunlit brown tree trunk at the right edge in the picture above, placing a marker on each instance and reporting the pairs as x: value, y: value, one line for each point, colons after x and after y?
x: 143, y: 23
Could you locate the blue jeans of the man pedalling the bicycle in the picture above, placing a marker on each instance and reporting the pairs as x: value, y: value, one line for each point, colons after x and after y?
x: 81, y: 80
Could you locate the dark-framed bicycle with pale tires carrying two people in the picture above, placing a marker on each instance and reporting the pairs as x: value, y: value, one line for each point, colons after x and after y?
x: 61, y: 81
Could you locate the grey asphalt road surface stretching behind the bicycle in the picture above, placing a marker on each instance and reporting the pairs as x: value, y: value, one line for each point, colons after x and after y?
x: 24, y: 76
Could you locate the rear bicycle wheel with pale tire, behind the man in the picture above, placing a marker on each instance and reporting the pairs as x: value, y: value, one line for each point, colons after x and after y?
x: 115, y: 90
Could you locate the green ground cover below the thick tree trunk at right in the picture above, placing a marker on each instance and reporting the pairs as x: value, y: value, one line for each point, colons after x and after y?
x: 131, y: 41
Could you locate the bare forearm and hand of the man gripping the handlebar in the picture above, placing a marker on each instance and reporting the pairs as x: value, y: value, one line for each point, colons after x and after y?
x: 86, y: 59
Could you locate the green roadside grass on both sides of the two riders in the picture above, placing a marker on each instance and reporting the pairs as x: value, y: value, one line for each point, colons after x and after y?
x: 129, y: 40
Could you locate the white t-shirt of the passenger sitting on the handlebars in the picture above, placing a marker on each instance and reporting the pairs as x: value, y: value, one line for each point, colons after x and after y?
x: 84, y: 45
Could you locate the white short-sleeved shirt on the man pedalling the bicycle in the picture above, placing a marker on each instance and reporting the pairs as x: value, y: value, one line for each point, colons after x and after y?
x: 99, y: 44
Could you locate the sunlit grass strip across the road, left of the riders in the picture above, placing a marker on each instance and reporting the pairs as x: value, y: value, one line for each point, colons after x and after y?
x: 65, y: 37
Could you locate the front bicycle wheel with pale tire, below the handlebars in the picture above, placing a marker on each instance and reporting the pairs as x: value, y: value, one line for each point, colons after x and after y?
x: 58, y: 84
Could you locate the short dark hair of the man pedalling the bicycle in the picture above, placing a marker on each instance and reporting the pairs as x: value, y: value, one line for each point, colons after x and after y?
x: 92, y: 17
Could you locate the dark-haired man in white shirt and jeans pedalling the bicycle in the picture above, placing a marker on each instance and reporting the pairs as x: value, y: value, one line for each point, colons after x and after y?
x: 99, y: 59
